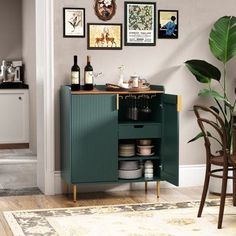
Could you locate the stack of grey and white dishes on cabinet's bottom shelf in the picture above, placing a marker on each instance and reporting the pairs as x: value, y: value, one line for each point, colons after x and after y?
x: 129, y: 170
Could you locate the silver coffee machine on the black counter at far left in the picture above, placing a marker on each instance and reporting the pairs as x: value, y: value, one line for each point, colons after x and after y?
x: 11, y: 71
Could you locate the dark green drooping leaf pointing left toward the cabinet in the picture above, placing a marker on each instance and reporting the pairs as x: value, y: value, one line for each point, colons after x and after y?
x: 203, y: 71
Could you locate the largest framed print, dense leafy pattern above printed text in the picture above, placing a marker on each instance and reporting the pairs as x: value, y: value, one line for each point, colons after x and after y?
x: 140, y: 23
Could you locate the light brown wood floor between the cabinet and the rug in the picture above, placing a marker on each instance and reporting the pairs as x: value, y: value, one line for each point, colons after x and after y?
x: 92, y: 199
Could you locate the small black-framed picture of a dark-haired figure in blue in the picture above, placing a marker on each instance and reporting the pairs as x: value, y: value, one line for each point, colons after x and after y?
x: 168, y: 24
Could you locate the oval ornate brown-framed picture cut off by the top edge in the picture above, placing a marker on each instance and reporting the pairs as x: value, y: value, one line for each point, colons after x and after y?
x: 105, y: 9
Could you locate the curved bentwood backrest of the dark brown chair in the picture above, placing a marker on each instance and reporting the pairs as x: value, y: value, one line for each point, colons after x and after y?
x: 213, y: 130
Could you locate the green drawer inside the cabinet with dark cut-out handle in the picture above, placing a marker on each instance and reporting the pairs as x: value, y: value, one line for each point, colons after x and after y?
x: 130, y: 131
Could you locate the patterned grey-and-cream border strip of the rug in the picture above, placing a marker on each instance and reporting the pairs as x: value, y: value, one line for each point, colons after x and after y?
x: 39, y: 216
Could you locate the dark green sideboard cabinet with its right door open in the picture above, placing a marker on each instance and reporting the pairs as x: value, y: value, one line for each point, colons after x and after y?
x: 93, y: 124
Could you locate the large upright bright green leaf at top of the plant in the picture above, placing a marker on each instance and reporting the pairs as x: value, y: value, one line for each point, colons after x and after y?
x: 222, y: 39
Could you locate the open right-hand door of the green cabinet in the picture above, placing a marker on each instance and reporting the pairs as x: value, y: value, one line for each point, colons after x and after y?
x: 170, y: 140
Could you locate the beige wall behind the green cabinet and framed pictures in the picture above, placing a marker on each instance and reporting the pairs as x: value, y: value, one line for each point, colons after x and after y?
x: 162, y: 64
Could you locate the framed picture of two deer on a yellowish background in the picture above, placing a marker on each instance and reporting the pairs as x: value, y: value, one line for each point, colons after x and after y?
x: 105, y: 36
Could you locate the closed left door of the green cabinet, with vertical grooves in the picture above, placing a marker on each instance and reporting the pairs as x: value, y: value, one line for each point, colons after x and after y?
x: 94, y: 138
